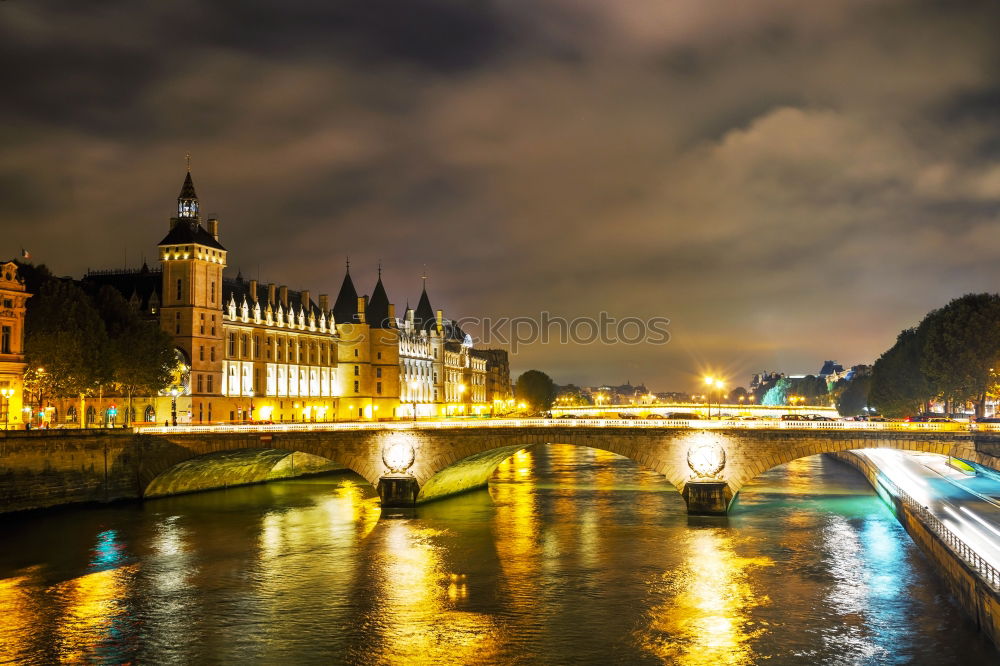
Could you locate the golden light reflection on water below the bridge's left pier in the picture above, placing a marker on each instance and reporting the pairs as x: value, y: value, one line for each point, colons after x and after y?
x: 422, y: 604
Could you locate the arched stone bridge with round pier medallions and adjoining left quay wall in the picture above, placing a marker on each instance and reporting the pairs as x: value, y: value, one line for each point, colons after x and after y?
x: 411, y: 464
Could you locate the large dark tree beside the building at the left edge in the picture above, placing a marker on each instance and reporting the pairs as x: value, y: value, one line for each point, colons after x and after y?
x: 65, y: 342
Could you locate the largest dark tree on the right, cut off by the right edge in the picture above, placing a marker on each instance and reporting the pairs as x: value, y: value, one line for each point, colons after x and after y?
x: 962, y: 348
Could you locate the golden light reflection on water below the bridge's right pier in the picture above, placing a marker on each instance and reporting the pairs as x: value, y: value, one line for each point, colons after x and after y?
x: 705, y: 619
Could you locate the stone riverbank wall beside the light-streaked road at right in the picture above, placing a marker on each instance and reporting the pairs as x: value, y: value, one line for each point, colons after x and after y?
x: 971, y: 588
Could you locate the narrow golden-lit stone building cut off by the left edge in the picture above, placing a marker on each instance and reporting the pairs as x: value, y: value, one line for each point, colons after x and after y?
x: 13, y: 299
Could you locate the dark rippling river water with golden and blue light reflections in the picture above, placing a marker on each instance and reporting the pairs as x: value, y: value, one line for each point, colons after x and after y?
x: 573, y: 555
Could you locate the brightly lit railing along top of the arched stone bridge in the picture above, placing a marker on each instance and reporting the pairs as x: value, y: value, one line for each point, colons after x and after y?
x: 571, y: 423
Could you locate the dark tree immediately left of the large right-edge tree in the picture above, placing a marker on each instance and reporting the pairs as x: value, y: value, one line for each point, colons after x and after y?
x: 898, y: 385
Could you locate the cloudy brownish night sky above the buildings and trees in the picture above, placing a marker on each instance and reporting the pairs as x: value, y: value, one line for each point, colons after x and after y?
x: 786, y: 181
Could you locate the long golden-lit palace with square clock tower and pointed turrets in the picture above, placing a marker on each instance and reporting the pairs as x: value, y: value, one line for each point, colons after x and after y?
x: 262, y: 352
